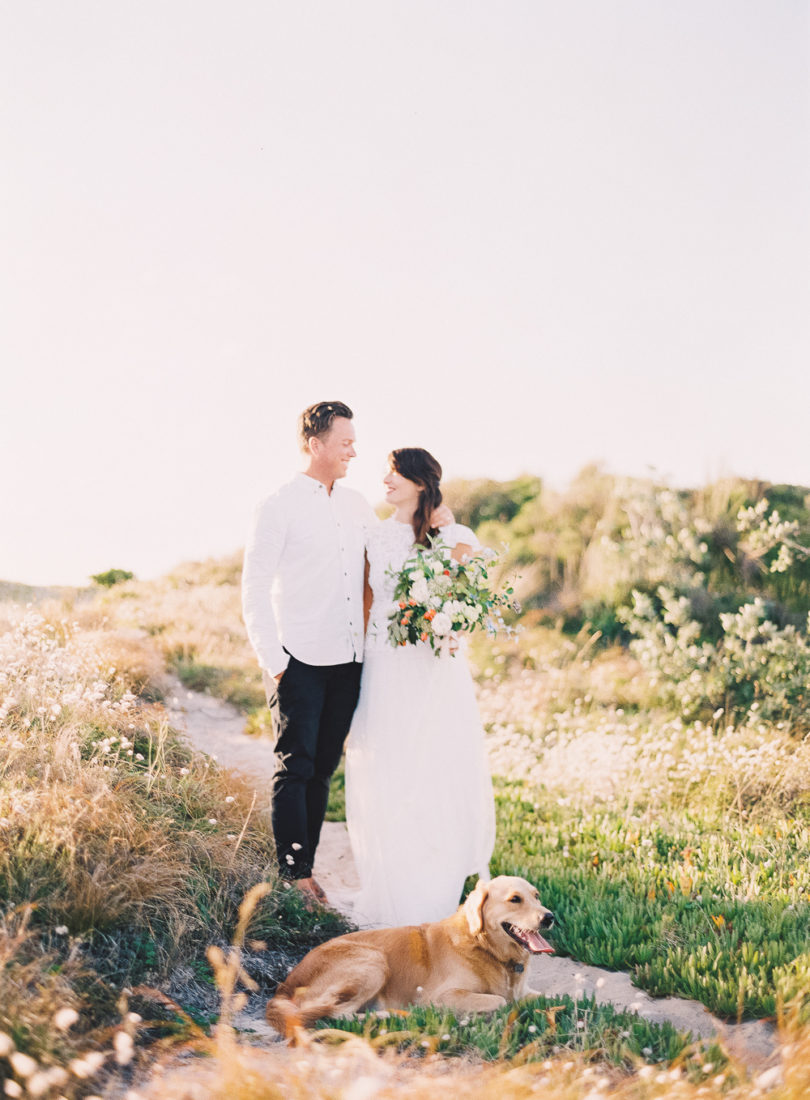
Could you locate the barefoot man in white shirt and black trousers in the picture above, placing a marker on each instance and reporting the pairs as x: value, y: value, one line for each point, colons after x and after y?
x: 303, y: 603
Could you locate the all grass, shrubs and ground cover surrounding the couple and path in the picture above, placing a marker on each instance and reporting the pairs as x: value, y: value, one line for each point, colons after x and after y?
x: 648, y: 730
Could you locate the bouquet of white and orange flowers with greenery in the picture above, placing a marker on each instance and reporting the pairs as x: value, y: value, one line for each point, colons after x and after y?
x: 437, y: 598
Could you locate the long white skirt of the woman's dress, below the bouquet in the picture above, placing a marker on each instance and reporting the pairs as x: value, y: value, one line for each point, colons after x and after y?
x: 420, y: 804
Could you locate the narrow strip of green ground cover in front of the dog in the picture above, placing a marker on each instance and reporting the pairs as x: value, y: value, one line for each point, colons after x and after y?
x: 534, y: 1030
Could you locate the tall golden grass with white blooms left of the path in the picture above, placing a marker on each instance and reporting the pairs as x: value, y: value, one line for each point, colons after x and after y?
x: 123, y: 854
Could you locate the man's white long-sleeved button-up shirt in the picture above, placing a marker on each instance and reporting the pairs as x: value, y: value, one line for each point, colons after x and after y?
x: 303, y: 575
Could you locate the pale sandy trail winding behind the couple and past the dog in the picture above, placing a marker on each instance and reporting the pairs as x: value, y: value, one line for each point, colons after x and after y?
x: 217, y: 729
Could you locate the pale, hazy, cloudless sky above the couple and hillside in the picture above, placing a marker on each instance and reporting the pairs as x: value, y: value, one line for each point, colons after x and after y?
x: 527, y: 236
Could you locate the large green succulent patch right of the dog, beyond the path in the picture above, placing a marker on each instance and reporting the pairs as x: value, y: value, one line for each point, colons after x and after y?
x: 691, y: 907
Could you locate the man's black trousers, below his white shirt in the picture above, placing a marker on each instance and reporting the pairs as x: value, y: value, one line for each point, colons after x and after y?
x: 314, y: 709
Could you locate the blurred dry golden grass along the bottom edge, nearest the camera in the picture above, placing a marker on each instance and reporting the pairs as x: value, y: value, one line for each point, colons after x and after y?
x: 354, y: 1069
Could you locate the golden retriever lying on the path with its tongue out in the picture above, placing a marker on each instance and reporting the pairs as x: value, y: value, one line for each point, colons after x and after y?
x: 473, y: 962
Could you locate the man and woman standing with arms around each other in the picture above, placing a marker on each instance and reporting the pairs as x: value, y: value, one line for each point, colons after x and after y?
x: 319, y: 588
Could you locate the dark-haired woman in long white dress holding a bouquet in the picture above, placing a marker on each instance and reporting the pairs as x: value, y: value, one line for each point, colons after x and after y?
x: 419, y: 794
